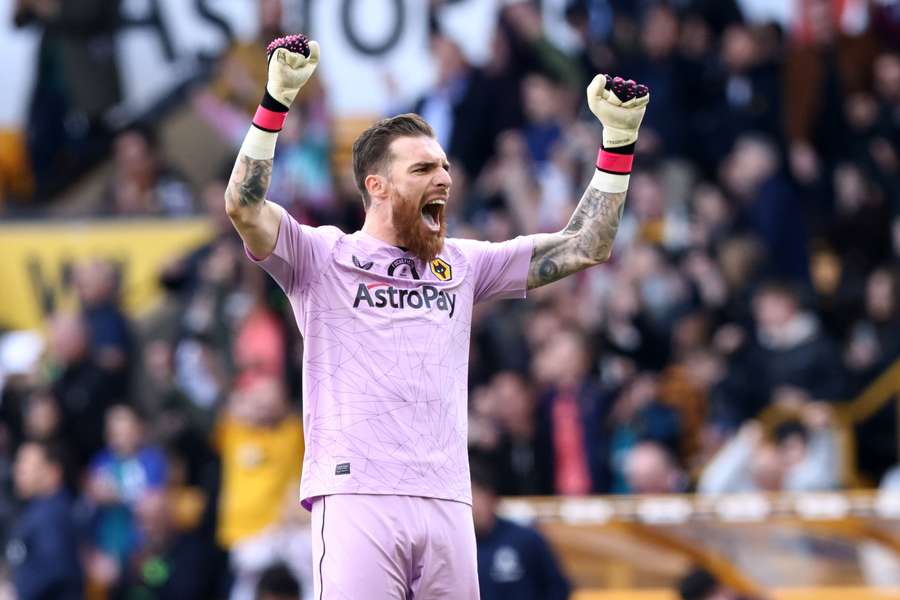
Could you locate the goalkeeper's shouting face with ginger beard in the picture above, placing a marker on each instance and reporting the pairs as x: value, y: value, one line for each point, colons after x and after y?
x: 419, y: 187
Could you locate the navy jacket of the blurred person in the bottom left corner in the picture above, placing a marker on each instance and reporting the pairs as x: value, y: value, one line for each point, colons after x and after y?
x: 43, y: 551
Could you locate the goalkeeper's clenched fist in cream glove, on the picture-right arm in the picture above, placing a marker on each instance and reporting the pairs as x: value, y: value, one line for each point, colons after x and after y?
x: 620, y: 106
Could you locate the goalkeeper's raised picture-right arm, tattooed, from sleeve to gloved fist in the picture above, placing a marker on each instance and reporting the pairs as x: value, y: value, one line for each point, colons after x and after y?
x: 588, y: 238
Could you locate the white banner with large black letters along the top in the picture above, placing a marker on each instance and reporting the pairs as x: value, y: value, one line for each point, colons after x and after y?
x: 375, y: 55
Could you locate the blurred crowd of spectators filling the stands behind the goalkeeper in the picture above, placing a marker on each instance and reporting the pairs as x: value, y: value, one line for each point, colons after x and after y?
x: 756, y: 266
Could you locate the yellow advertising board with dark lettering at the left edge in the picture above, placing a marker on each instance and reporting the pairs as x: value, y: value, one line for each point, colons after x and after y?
x: 36, y: 261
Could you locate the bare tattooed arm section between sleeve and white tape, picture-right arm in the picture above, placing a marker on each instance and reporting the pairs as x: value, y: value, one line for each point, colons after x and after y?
x: 587, y: 239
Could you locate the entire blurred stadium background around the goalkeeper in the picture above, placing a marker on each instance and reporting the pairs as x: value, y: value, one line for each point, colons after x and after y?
x: 711, y: 415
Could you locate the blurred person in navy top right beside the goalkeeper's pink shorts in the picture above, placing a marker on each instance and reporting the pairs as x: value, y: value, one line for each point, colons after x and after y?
x: 514, y: 561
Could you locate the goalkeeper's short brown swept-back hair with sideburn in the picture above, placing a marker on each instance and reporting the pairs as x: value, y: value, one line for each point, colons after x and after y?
x: 371, y: 148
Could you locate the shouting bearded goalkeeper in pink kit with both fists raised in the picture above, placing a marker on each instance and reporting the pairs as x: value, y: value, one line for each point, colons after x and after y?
x: 385, y: 313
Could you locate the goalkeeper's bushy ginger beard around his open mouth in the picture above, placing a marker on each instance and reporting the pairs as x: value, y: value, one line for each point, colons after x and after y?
x: 420, y: 224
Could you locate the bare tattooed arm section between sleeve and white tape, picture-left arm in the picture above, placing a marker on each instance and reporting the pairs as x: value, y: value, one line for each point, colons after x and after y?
x: 255, y: 218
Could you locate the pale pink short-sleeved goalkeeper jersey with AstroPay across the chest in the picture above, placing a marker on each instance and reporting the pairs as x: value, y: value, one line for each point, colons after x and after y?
x: 386, y: 355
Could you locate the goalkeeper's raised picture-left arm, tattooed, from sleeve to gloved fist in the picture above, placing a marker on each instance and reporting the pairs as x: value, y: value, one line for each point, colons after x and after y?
x: 291, y: 63
